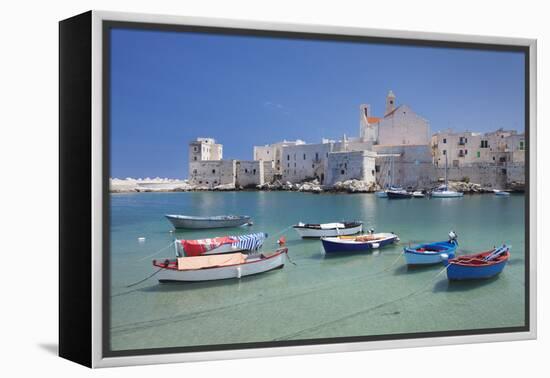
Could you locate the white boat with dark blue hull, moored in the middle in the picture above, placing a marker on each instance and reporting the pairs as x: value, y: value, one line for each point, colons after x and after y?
x: 358, y: 243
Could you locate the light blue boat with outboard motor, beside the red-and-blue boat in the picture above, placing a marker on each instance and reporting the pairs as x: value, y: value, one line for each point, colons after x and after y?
x: 431, y: 253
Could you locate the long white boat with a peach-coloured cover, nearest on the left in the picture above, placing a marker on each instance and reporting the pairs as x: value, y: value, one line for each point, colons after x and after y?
x: 218, y: 267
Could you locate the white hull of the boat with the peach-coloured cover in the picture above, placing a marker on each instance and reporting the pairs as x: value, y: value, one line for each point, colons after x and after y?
x: 267, y: 264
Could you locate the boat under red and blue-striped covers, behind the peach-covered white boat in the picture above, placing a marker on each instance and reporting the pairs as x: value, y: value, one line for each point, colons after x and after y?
x: 219, y: 245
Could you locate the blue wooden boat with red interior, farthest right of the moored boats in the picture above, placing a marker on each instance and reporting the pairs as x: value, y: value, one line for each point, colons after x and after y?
x: 479, y: 266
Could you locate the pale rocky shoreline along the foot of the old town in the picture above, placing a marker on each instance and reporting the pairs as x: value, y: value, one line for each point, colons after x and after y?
x: 131, y: 185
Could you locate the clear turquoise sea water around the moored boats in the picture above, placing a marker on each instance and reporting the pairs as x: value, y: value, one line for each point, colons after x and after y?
x: 371, y: 293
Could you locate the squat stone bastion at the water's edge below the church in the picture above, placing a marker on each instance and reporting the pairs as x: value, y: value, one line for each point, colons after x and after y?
x: 350, y: 165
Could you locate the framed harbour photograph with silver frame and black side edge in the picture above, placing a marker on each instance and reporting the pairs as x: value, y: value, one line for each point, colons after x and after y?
x: 232, y: 189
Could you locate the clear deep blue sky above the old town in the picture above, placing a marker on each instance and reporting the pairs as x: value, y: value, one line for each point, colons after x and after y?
x: 168, y: 88
